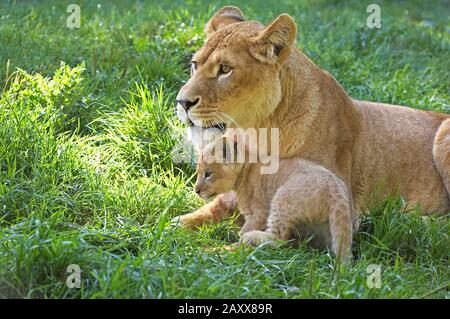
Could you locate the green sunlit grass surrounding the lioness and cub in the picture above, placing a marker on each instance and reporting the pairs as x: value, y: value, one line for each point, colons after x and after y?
x: 86, y: 175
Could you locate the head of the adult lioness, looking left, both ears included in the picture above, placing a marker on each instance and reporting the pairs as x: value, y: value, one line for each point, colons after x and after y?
x: 235, y: 76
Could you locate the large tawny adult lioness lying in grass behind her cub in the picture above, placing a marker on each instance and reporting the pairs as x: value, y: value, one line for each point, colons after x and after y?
x: 248, y: 75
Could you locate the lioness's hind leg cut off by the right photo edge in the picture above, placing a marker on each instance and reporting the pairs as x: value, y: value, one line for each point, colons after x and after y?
x: 441, y: 152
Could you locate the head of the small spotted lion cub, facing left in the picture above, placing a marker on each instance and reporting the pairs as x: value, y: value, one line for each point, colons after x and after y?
x: 218, y: 168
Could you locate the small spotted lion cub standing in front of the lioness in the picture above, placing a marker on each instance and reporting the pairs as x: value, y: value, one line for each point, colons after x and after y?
x: 302, y: 198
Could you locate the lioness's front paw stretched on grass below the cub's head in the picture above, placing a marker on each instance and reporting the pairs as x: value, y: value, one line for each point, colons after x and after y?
x: 220, y: 208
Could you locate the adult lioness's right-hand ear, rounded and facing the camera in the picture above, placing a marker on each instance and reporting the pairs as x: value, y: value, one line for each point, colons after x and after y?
x: 275, y: 41
